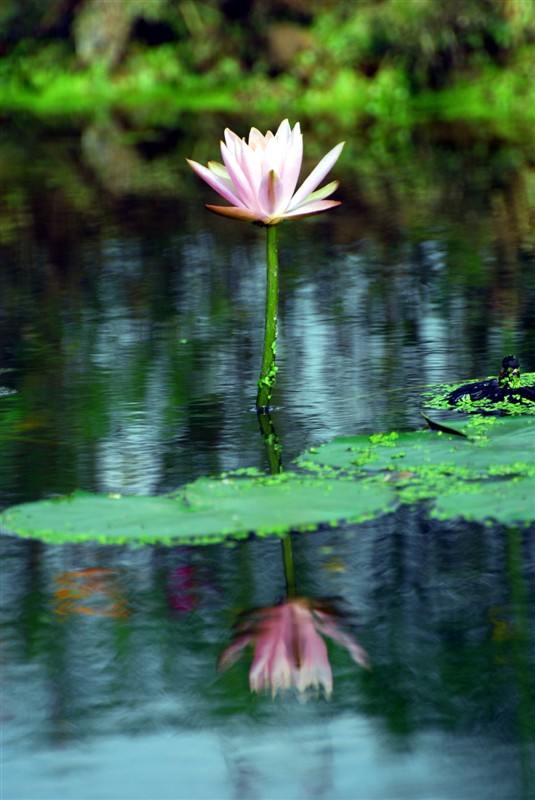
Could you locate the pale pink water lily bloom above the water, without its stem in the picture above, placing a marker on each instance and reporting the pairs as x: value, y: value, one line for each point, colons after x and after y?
x: 259, y: 177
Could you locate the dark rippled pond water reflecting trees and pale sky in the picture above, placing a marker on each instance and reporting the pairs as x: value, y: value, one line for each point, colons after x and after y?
x: 133, y: 324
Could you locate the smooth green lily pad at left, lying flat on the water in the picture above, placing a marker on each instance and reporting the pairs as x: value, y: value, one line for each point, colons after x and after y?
x: 202, y: 512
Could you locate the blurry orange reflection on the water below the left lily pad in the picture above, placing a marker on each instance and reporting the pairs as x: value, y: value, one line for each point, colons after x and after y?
x: 95, y: 592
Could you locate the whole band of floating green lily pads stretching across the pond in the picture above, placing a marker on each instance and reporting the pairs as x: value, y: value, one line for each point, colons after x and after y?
x: 477, y: 468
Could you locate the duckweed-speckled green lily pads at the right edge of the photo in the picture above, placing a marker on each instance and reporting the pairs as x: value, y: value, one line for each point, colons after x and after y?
x: 488, y: 473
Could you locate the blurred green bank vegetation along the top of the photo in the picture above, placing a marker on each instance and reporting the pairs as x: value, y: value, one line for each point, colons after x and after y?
x: 393, y: 62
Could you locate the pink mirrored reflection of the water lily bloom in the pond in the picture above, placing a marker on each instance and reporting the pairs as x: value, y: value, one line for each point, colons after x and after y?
x: 289, y: 649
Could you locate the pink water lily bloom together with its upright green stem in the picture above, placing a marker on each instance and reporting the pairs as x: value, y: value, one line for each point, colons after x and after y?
x: 259, y: 177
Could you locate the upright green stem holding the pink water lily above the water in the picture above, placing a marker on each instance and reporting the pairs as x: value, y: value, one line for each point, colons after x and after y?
x: 269, y: 370
